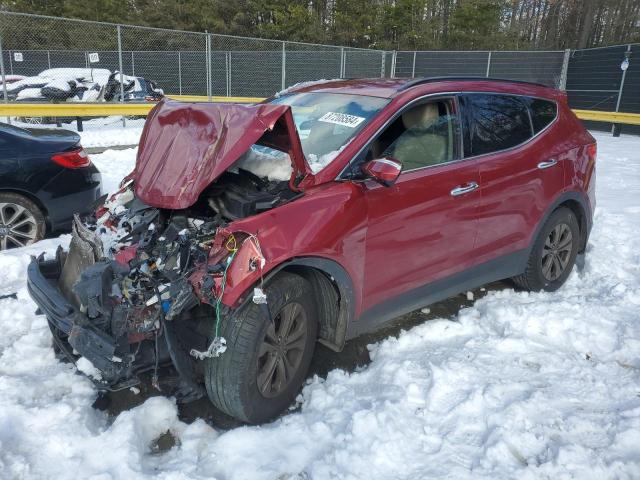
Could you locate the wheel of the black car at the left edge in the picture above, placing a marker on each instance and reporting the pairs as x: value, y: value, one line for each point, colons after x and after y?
x: 19, y: 227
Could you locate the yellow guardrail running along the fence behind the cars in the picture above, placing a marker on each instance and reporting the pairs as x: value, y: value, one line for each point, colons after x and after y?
x: 106, y: 109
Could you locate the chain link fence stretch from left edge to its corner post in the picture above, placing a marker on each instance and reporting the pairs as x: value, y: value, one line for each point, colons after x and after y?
x: 179, y: 62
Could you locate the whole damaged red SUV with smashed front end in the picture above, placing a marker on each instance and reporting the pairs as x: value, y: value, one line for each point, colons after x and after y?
x: 247, y: 233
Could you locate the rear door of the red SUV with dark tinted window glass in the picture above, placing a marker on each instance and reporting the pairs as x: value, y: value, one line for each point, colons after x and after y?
x: 520, y: 171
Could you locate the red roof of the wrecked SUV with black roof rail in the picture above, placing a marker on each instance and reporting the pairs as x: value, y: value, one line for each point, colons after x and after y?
x: 390, y: 87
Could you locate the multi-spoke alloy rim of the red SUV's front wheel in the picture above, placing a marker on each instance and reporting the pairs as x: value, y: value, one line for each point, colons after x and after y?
x: 282, y: 350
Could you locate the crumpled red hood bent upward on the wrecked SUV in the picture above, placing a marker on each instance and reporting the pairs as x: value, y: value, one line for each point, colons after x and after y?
x: 186, y: 146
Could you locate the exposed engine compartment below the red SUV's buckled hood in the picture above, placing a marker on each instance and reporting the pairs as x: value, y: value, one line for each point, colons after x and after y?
x: 150, y: 253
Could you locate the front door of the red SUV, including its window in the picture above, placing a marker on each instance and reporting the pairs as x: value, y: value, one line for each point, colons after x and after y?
x: 423, y: 227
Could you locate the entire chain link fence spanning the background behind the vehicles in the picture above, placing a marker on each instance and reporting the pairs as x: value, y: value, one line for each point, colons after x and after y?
x: 197, y: 63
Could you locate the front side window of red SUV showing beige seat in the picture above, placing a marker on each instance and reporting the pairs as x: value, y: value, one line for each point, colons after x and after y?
x: 424, y: 135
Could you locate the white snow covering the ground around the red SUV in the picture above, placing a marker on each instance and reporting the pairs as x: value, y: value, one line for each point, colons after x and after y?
x: 517, y: 386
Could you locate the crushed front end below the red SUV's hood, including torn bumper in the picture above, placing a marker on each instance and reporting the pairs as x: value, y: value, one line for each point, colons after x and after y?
x: 123, y: 296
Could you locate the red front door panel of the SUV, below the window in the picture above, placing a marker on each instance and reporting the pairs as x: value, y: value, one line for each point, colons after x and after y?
x: 417, y: 232
